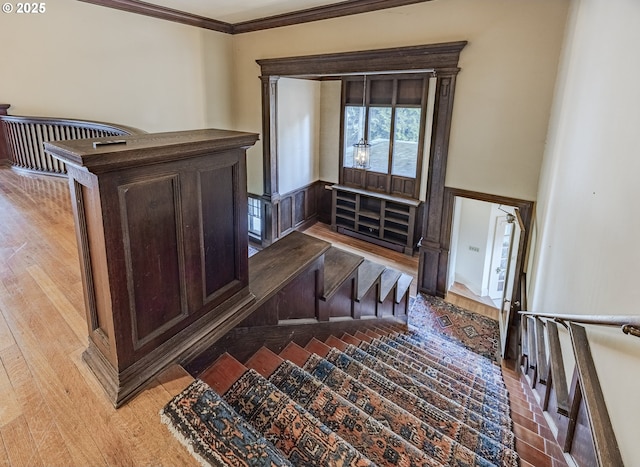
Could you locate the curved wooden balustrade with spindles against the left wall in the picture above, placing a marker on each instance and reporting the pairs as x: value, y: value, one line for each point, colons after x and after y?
x: 22, y: 138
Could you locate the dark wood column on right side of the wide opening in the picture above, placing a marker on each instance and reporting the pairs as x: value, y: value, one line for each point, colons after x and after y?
x: 433, y: 254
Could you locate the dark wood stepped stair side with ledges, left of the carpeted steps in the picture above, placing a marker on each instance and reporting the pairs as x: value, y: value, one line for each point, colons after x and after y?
x: 304, y: 287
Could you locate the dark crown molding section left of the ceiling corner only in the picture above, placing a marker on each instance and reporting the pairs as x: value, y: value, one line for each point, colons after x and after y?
x: 169, y: 14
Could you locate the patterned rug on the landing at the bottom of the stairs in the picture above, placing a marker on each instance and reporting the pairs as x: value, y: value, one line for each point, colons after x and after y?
x: 473, y: 331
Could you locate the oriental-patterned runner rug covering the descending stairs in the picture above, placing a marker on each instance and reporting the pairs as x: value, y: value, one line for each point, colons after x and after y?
x: 413, y: 398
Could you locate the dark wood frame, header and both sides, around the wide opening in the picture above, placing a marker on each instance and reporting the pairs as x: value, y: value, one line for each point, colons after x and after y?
x: 442, y: 57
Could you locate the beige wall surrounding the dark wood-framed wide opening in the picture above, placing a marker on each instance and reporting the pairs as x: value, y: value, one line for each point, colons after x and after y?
x: 504, y: 90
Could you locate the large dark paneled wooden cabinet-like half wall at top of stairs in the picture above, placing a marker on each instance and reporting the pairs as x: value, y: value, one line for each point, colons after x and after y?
x: 161, y: 223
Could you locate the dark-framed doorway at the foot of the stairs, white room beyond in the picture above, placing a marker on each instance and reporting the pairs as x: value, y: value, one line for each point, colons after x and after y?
x: 486, y: 237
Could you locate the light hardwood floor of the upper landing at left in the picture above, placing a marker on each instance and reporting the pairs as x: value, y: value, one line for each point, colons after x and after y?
x: 53, y: 412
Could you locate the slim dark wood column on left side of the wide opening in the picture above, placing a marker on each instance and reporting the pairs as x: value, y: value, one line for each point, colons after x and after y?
x: 271, y: 195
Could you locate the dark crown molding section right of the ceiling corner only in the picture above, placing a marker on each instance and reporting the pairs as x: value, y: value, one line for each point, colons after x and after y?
x: 336, y: 10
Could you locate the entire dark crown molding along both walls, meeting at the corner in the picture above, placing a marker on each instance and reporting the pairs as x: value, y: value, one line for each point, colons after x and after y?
x: 336, y: 10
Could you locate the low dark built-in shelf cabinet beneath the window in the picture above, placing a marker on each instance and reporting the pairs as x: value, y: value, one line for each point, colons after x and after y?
x: 378, y: 218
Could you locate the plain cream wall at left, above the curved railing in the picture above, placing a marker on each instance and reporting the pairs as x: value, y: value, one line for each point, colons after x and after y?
x: 84, y: 61
